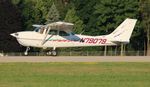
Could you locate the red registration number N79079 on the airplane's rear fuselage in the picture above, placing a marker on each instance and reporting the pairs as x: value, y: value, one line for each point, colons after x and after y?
x: 95, y: 40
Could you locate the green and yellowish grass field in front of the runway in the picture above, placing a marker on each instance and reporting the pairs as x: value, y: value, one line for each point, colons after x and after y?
x: 74, y: 74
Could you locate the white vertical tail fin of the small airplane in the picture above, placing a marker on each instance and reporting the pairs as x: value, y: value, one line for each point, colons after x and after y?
x: 123, y: 32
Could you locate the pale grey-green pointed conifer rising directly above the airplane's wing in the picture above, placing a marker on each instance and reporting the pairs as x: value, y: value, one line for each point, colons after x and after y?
x: 53, y: 15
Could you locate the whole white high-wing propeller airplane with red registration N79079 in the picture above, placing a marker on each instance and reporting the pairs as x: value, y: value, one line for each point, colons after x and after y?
x: 59, y: 35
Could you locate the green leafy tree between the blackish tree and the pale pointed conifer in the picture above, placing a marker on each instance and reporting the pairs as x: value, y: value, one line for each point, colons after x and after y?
x: 33, y: 12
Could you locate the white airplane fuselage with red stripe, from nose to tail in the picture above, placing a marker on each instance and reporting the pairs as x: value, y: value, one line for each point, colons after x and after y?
x: 36, y: 39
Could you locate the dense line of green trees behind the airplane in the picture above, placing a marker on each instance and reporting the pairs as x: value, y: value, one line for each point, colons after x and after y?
x: 91, y: 17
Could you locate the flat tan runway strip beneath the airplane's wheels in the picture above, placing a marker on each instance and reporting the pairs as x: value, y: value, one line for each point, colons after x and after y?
x: 75, y: 59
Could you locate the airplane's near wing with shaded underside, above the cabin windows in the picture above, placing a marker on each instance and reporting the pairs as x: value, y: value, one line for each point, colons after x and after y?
x: 62, y: 26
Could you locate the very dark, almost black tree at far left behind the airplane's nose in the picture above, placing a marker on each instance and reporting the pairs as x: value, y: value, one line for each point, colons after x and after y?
x: 10, y: 22
